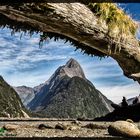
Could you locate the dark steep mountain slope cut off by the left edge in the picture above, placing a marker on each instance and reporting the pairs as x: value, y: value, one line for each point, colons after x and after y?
x: 10, y: 102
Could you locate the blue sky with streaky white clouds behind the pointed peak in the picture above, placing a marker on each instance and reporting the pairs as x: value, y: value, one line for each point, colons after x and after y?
x: 22, y: 62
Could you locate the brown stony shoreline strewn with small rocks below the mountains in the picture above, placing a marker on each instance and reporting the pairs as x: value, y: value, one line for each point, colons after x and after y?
x: 55, y: 129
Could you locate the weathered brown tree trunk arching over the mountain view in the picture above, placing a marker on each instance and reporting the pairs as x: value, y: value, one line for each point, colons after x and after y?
x: 78, y: 22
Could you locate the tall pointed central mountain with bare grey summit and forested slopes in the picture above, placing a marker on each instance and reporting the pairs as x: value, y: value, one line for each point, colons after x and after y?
x: 68, y: 94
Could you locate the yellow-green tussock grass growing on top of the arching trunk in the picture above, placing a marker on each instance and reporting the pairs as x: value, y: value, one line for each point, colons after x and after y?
x: 119, y: 23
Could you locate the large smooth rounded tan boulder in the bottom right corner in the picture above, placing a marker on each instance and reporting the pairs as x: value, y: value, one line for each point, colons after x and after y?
x: 124, y: 128
